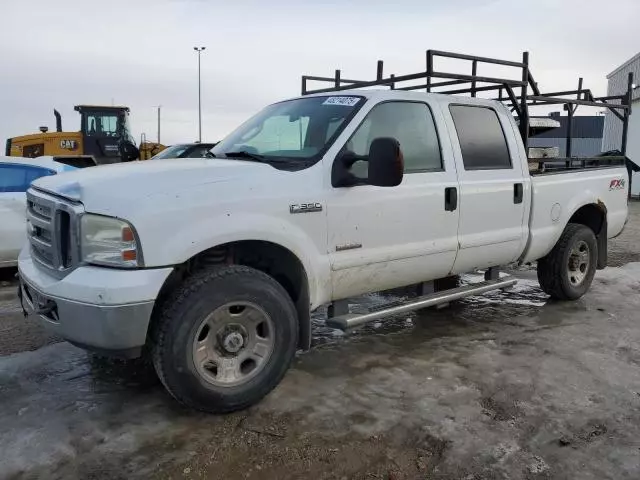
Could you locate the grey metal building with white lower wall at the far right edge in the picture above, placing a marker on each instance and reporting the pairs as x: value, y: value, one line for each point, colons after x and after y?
x: 617, y: 85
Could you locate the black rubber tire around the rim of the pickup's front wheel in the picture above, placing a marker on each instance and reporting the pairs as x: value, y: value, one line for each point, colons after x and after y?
x: 181, y: 314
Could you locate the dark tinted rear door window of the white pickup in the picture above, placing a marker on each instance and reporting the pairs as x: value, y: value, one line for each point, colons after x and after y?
x: 481, y: 138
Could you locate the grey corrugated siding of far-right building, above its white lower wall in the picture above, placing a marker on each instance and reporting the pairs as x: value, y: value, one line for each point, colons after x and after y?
x: 617, y: 86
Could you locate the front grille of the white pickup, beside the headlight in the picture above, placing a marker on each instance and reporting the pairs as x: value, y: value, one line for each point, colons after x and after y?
x: 53, y: 231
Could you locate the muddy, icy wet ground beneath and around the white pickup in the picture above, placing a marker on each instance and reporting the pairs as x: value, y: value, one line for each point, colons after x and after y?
x: 506, y: 386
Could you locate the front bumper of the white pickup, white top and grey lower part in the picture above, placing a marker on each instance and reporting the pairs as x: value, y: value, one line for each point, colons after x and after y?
x: 100, y: 309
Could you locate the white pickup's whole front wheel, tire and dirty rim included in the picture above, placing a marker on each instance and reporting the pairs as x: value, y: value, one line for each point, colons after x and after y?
x: 225, y: 339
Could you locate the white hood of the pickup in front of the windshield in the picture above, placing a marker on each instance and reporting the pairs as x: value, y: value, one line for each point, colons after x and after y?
x: 127, y: 182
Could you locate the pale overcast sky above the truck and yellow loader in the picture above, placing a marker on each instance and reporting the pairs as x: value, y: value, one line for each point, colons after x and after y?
x: 140, y: 53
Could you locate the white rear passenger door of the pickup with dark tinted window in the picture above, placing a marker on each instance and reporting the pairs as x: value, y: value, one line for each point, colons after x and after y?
x: 493, y: 187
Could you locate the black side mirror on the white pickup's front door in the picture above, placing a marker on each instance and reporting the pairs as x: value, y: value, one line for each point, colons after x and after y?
x: 386, y: 163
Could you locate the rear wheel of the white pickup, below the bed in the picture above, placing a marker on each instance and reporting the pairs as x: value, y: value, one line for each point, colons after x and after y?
x: 567, y: 271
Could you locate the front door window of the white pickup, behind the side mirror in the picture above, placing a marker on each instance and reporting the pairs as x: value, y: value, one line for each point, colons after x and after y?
x: 411, y: 124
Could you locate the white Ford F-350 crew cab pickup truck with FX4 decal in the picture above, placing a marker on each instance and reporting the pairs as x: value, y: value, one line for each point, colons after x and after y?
x: 212, y: 266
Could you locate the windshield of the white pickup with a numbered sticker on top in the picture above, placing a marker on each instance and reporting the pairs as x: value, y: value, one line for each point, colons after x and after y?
x: 299, y: 129
